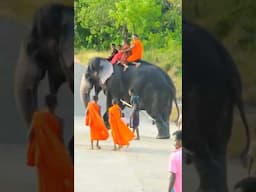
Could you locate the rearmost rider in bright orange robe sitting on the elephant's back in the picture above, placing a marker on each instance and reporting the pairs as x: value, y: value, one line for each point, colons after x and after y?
x: 136, y: 49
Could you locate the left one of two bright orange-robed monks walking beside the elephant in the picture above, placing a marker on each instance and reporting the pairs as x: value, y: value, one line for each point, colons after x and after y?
x: 93, y: 119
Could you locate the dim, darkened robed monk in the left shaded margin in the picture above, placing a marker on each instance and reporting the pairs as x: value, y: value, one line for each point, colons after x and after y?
x: 47, y: 151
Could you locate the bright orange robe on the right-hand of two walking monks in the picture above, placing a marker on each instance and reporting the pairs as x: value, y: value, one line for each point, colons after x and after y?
x: 121, y: 134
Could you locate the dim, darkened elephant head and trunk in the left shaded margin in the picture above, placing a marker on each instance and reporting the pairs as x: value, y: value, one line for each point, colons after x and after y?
x: 48, y: 48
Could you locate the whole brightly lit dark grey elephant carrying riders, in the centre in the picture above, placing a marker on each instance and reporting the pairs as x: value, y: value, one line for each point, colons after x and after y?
x: 154, y: 87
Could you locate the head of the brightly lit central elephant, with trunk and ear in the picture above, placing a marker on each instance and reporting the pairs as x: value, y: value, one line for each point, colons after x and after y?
x: 96, y: 74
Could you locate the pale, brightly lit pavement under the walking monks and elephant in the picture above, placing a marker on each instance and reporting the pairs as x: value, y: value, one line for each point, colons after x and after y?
x: 140, y: 168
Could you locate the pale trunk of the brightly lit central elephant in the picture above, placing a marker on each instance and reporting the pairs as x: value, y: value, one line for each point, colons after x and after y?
x: 85, y: 88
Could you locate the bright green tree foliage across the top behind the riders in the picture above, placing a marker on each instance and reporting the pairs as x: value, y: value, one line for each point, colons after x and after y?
x: 98, y: 23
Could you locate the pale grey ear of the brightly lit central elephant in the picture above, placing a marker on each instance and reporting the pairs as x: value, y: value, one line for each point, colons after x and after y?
x: 106, y: 70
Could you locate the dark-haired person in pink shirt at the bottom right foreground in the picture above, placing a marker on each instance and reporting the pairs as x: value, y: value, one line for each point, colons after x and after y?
x: 175, y: 164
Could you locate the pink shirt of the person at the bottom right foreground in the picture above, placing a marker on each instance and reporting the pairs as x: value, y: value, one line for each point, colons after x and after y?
x: 175, y: 166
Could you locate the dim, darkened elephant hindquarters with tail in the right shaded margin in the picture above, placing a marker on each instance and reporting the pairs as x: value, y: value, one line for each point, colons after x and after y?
x: 211, y: 89
